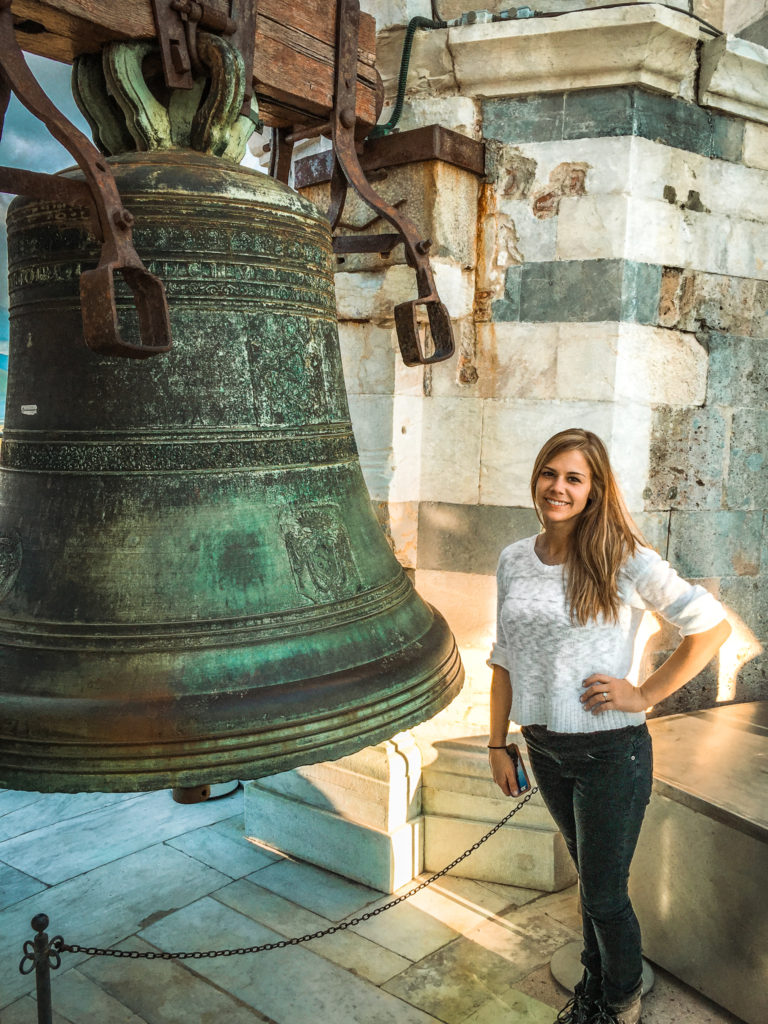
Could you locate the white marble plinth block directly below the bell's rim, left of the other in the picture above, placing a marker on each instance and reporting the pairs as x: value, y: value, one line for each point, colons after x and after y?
x: 359, y: 817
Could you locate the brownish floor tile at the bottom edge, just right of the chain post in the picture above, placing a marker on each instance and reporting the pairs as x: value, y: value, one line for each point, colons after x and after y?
x: 165, y: 992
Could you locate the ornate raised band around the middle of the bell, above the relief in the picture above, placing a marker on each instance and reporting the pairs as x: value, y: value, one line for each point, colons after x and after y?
x: 250, y: 454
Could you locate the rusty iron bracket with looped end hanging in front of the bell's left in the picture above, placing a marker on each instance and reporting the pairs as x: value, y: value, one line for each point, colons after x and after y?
x: 111, y: 223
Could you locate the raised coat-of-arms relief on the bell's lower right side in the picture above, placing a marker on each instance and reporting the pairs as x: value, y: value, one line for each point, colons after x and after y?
x: 320, y: 553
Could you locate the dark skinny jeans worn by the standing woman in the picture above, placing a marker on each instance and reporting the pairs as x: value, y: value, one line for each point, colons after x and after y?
x: 598, y: 786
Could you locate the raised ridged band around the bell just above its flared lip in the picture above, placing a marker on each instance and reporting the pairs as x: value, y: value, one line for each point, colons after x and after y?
x: 243, y: 631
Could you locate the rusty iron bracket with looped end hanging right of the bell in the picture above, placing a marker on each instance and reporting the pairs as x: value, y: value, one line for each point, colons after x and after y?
x: 348, y: 172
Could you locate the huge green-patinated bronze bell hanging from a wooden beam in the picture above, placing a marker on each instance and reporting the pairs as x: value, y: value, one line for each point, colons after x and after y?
x: 193, y: 584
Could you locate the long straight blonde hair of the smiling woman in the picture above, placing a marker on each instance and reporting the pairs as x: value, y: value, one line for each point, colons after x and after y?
x: 605, y: 536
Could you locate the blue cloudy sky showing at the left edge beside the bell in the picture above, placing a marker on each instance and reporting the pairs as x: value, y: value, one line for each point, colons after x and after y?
x: 27, y: 143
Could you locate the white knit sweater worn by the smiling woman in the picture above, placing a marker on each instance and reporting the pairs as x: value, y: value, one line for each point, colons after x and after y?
x: 548, y: 658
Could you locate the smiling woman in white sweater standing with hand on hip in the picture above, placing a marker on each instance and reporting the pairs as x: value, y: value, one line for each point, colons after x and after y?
x: 570, y: 607
